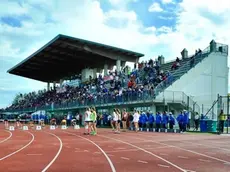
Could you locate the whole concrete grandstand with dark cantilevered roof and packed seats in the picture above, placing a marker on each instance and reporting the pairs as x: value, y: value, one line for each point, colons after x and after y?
x: 83, y: 74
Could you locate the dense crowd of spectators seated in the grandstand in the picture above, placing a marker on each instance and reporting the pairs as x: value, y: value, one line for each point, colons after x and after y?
x: 126, y: 85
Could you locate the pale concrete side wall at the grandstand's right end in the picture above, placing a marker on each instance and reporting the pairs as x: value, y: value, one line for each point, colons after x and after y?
x: 205, y: 81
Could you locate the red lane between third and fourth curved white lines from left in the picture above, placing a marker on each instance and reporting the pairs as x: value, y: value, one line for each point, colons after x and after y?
x: 76, y: 155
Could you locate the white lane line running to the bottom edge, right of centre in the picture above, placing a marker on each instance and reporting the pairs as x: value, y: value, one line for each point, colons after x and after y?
x: 137, y: 147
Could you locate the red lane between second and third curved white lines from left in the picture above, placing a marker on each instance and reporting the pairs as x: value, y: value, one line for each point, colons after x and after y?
x: 35, y: 157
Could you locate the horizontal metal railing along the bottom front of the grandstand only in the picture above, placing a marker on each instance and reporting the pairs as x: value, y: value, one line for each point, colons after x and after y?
x: 144, y: 98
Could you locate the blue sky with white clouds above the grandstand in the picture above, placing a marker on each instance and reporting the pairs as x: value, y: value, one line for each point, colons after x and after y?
x: 151, y: 27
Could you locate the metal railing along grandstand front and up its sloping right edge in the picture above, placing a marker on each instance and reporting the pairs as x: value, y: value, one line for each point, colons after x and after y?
x: 137, y: 97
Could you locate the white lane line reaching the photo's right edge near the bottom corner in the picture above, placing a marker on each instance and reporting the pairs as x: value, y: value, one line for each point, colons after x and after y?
x: 187, y: 150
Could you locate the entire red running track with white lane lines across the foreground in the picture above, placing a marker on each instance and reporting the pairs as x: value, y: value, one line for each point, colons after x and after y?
x: 69, y: 150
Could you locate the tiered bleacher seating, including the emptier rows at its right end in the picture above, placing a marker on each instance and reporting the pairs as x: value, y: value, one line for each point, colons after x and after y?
x: 115, y: 91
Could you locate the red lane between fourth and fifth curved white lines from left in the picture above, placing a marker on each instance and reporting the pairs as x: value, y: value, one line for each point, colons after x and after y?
x: 128, y: 158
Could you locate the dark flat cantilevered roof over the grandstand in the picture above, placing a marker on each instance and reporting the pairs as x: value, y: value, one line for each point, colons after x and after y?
x: 65, y: 56
